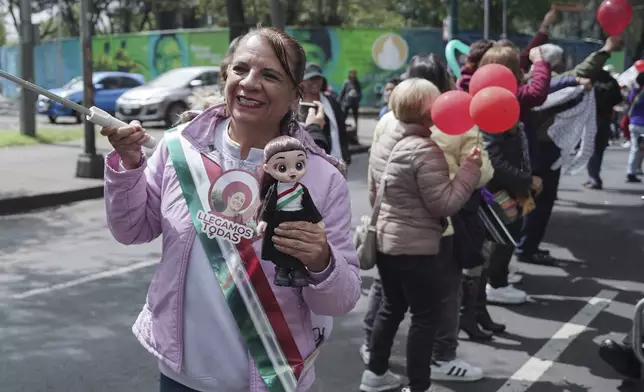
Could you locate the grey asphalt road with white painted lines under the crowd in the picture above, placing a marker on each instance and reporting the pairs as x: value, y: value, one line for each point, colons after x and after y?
x: 69, y: 295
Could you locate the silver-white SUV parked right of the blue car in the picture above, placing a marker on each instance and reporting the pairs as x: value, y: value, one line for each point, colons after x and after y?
x: 167, y: 96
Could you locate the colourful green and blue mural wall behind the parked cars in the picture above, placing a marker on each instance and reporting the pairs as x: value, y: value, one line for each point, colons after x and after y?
x: 376, y: 54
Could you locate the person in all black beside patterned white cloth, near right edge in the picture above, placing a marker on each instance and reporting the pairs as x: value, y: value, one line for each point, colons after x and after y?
x: 607, y: 95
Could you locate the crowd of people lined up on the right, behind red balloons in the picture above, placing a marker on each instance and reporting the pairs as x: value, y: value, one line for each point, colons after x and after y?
x: 433, y: 242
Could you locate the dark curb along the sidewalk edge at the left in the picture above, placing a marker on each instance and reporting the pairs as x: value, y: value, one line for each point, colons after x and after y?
x: 23, y: 204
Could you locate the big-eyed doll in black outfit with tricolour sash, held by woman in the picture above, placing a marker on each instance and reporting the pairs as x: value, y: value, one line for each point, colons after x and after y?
x: 284, y: 199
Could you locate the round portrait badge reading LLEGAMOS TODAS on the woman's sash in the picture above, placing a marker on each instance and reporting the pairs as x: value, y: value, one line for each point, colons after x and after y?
x: 234, y: 199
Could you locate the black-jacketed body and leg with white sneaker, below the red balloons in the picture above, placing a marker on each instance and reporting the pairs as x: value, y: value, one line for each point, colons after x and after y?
x: 509, y: 155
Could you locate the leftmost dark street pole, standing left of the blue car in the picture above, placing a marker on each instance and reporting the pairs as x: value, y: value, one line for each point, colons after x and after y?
x: 27, y: 98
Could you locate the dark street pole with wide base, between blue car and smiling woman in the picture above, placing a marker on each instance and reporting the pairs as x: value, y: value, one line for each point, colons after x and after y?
x: 89, y: 164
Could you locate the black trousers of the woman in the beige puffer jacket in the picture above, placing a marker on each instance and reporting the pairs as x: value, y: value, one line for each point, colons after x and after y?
x: 408, y: 282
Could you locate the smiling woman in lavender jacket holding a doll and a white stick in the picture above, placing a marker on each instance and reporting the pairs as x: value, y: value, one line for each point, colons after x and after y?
x: 186, y: 322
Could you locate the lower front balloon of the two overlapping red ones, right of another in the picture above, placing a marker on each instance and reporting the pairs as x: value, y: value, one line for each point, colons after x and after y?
x: 495, y: 109
